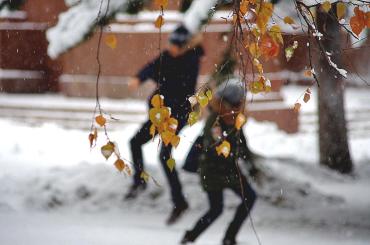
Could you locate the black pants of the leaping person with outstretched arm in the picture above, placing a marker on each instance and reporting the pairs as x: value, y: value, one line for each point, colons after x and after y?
x: 142, y: 137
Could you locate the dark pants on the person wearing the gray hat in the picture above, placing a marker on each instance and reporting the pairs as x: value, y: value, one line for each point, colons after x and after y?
x: 215, y: 199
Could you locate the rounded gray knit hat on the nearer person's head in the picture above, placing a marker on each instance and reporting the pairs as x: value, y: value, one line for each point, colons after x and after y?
x: 231, y: 91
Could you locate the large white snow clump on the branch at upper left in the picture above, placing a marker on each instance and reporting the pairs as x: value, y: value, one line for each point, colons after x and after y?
x: 78, y: 21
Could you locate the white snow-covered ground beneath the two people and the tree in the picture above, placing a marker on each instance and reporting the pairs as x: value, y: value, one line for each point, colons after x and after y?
x: 53, y: 190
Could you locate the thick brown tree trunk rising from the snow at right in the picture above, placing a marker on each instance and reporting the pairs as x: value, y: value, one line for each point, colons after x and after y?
x: 333, y: 141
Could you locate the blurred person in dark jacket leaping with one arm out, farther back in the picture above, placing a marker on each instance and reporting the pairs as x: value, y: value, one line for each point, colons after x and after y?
x: 175, y: 72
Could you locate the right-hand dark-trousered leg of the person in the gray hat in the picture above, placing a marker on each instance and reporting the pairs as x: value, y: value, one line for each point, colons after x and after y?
x: 248, y: 196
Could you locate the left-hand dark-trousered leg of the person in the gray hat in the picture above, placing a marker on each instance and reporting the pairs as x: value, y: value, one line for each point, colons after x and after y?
x: 215, y: 200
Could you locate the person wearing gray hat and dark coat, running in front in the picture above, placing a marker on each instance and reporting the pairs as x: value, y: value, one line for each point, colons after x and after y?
x: 219, y: 169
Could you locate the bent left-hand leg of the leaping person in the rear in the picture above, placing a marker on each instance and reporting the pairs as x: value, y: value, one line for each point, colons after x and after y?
x: 141, y: 137
